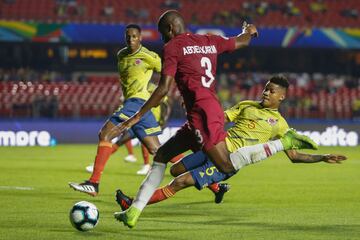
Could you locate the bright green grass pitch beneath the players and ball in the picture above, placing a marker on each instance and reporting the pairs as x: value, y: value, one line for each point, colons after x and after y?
x: 271, y: 200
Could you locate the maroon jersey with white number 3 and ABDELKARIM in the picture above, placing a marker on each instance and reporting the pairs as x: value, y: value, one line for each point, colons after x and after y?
x: 191, y: 59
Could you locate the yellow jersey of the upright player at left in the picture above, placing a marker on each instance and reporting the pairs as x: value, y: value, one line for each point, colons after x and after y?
x: 135, y: 70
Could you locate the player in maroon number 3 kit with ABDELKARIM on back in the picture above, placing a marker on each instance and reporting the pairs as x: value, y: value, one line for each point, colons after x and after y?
x: 190, y: 60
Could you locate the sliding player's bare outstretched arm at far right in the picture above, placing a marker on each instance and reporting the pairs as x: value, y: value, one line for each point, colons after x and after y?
x: 297, y: 157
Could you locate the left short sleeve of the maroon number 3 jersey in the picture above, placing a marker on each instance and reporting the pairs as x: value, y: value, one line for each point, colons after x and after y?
x: 170, y: 60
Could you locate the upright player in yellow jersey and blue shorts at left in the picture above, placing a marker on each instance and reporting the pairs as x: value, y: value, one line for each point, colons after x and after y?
x: 135, y: 65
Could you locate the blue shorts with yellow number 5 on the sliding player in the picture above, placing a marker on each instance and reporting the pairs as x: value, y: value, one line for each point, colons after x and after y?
x: 203, y: 170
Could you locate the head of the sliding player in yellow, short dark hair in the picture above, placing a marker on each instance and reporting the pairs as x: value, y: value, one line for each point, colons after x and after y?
x: 275, y: 91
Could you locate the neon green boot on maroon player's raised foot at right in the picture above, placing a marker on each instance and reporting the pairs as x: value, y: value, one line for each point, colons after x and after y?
x: 294, y: 140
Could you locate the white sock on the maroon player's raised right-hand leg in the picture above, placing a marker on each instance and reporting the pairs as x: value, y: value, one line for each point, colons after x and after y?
x: 253, y: 154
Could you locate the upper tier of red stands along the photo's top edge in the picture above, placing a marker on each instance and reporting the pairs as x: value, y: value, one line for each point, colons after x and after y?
x: 269, y: 13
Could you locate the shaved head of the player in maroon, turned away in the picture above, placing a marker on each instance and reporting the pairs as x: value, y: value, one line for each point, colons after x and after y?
x: 170, y: 24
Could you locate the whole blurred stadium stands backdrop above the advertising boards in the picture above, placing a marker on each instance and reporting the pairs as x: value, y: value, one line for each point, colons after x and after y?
x: 52, y: 78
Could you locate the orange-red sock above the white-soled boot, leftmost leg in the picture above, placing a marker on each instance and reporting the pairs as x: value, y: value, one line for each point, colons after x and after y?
x: 102, y: 156
